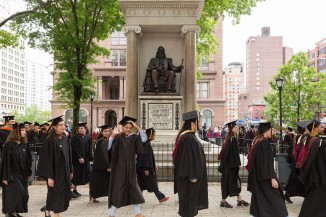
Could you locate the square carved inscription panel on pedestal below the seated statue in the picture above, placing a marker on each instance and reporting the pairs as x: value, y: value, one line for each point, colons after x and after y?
x: 160, y: 116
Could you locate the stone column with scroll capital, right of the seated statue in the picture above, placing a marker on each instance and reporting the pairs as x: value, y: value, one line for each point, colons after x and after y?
x: 190, y: 99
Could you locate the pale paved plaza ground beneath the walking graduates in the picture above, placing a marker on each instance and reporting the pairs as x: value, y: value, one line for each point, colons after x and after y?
x: 151, y: 208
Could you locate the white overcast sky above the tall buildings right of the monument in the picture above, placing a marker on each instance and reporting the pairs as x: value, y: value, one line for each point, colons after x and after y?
x: 300, y: 22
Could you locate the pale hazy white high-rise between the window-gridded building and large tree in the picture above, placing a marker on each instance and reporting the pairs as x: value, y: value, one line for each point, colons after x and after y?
x: 38, y: 85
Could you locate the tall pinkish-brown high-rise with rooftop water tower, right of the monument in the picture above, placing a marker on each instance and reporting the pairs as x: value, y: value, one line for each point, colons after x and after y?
x: 265, y: 55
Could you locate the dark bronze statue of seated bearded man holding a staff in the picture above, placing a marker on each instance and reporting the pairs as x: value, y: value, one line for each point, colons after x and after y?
x: 162, y: 67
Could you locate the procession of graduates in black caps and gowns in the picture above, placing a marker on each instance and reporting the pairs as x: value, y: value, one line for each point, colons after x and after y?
x: 66, y: 162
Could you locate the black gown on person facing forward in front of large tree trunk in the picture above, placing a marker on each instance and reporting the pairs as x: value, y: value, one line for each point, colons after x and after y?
x: 81, y: 147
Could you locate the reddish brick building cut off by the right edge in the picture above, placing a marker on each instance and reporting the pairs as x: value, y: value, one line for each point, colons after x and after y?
x: 317, y: 56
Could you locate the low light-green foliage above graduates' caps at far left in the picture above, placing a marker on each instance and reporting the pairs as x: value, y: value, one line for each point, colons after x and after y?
x: 32, y: 114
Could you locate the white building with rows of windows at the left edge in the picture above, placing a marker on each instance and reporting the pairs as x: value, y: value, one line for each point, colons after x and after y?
x: 13, y: 79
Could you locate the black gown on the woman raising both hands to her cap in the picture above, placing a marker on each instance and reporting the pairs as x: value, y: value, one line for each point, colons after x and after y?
x: 124, y: 189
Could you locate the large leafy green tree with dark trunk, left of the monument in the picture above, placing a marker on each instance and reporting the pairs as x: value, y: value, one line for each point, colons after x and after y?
x: 71, y: 30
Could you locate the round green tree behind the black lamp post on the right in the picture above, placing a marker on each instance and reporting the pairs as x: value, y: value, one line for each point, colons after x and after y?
x: 300, y: 94
